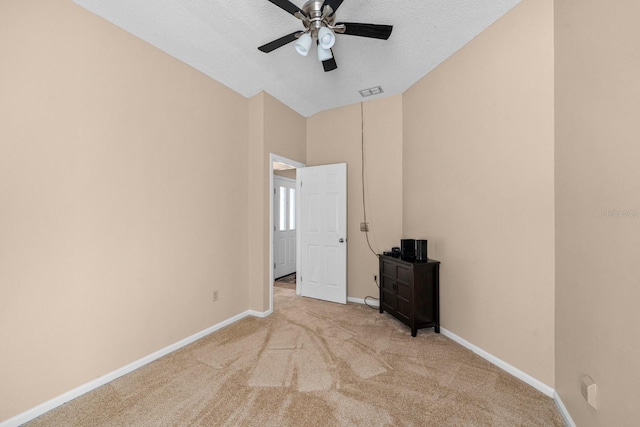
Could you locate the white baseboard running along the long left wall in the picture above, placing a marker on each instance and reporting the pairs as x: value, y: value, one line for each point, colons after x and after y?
x: 92, y: 385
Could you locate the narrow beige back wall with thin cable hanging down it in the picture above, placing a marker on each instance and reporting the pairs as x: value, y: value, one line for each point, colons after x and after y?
x: 335, y: 136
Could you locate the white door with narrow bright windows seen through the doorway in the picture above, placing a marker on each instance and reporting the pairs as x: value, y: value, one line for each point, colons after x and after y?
x: 284, y: 226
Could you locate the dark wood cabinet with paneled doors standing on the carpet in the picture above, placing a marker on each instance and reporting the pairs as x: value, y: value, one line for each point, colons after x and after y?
x: 410, y: 291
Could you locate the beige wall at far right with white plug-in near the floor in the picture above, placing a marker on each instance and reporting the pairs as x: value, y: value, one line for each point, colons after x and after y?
x: 598, y: 208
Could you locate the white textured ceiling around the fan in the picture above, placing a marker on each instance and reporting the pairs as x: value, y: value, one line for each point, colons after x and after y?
x: 220, y: 38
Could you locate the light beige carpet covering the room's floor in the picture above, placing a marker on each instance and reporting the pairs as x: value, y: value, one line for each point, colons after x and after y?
x: 314, y: 363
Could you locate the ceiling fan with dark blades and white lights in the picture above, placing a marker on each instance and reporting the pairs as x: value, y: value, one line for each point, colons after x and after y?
x: 319, y: 20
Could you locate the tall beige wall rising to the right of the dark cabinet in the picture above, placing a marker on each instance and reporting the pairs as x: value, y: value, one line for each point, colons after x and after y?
x: 478, y: 185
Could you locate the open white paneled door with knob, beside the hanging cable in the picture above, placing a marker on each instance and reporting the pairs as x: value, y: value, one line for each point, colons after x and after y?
x: 322, y: 272
